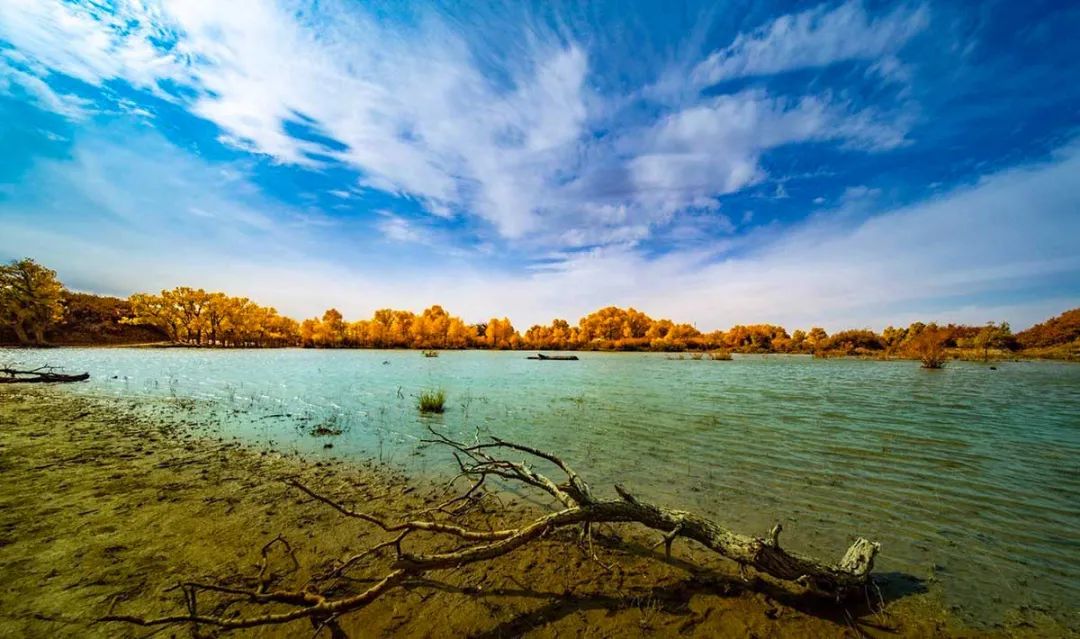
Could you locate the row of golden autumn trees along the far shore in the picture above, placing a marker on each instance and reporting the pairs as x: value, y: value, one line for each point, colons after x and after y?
x: 34, y: 303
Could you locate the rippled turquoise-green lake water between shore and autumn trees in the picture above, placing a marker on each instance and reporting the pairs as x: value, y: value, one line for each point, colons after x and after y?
x: 968, y: 477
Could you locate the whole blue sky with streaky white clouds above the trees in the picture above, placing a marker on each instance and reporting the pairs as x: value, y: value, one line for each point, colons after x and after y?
x: 838, y: 165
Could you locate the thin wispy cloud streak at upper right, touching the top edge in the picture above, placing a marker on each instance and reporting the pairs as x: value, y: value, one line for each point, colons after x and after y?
x: 816, y: 38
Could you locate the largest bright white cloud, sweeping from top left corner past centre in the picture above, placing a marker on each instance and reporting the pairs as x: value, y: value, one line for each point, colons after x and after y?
x: 422, y: 116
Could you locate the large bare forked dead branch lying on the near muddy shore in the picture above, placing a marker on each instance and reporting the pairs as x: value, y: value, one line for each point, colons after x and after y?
x: 577, y: 507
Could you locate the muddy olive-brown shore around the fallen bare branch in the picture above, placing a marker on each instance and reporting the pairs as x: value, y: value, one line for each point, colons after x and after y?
x: 100, y: 507
